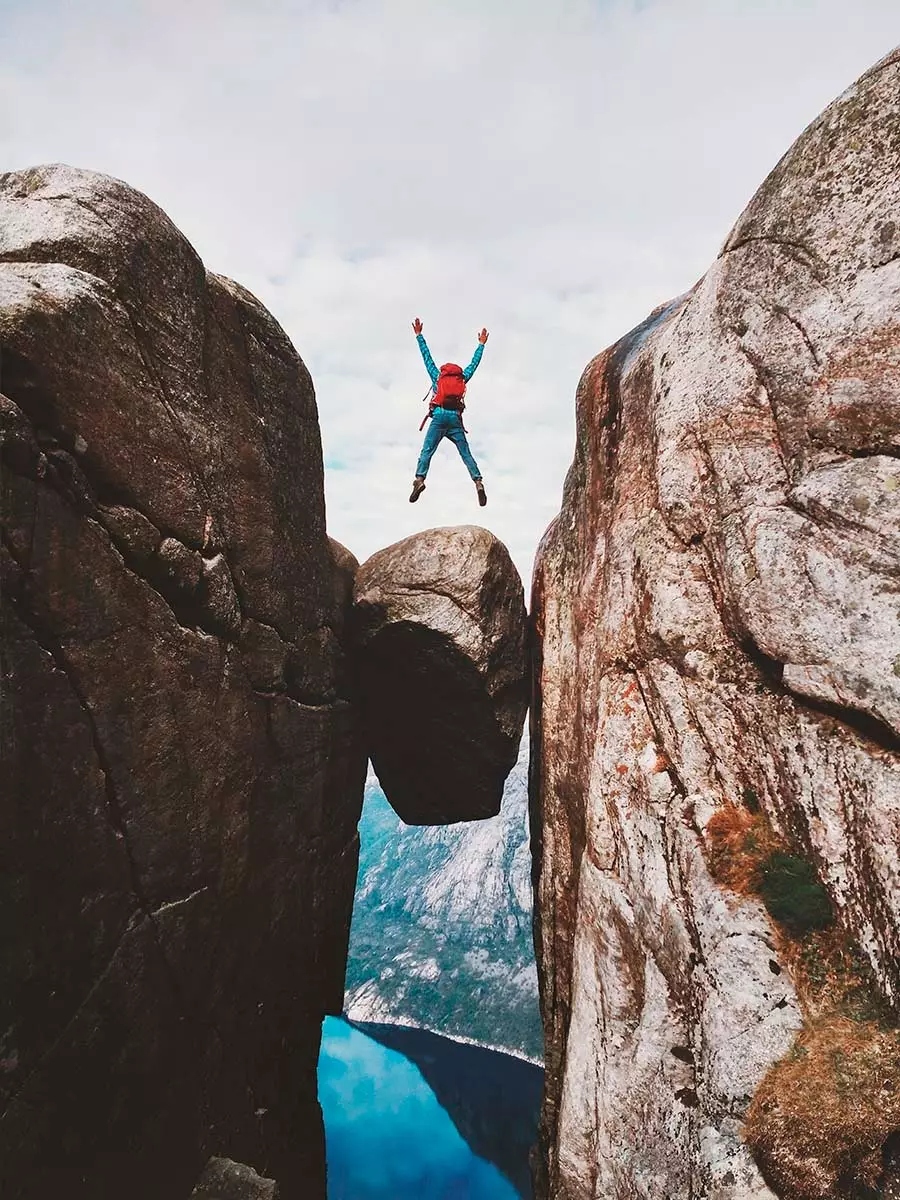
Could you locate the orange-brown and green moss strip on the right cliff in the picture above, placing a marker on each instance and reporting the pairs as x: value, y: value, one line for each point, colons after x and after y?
x: 821, y: 1117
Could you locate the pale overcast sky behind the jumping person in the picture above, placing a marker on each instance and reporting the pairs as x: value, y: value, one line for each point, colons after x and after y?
x: 550, y: 170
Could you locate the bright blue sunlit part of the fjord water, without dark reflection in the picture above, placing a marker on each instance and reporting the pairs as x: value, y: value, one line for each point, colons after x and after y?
x: 387, y: 1136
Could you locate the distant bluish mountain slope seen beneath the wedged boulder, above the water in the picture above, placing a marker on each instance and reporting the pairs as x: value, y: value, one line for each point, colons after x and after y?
x: 442, y: 925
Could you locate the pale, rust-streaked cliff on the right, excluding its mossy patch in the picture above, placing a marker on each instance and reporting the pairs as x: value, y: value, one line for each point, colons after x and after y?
x: 718, y: 645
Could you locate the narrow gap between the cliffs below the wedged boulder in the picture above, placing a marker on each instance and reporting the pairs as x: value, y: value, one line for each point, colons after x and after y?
x: 441, y: 1005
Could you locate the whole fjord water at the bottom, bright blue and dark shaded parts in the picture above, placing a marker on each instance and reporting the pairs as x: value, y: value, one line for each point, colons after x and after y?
x: 388, y: 1136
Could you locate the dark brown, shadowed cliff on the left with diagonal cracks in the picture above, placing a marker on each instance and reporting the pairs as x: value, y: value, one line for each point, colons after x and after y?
x: 183, y: 771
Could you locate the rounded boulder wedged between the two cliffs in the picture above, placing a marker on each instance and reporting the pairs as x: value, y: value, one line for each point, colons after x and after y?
x: 440, y: 625
